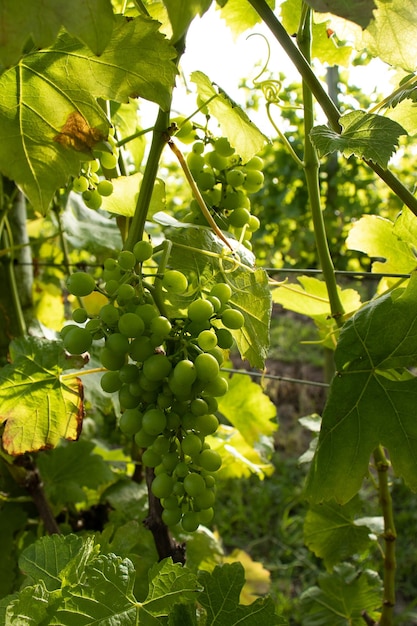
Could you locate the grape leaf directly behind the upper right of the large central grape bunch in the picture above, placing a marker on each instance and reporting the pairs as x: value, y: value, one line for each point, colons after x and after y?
x: 199, y: 254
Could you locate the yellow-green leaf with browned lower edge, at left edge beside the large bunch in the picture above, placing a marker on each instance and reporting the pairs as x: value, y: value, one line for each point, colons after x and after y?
x: 39, y: 404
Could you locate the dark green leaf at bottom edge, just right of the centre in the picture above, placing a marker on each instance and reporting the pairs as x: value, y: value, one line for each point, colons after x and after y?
x: 220, y: 599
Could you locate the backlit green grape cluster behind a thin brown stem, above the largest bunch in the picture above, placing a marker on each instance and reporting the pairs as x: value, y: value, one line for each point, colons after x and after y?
x: 225, y: 184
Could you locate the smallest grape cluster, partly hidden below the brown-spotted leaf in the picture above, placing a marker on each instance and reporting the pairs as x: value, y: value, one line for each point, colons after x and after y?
x: 91, y: 182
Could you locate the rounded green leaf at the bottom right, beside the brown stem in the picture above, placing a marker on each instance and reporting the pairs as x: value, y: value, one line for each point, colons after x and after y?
x: 341, y: 597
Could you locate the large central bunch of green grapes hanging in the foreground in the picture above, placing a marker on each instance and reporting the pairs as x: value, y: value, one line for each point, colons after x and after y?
x: 166, y: 373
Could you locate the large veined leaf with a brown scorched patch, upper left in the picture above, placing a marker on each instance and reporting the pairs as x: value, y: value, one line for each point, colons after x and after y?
x: 49, y: 117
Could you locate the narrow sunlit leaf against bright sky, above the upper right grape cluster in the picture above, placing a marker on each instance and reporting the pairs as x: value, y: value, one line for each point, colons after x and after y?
x: 242, y: 134
